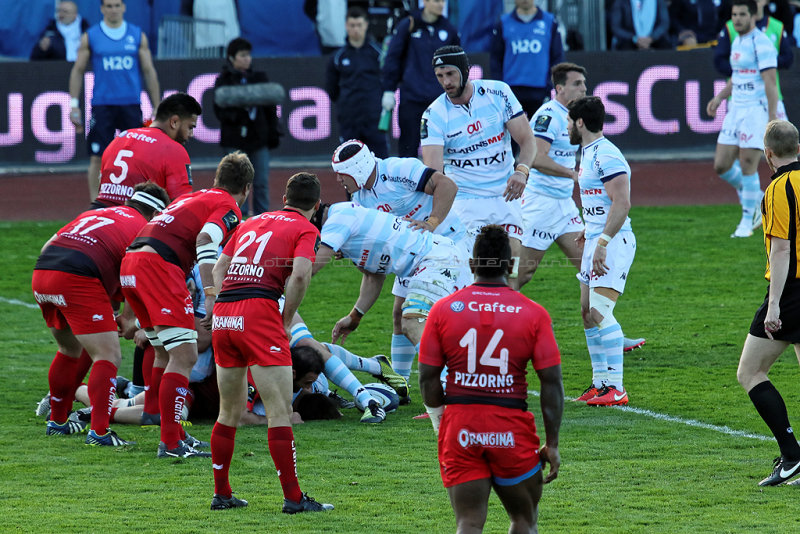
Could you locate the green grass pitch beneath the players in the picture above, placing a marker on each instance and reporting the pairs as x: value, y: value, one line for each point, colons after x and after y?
x: 692, y: 292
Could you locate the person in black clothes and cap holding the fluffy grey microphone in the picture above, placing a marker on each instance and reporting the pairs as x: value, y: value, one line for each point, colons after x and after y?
x: 252, y: 130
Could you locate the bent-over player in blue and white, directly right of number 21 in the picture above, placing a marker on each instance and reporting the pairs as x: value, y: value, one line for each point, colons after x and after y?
x: 378, y: 244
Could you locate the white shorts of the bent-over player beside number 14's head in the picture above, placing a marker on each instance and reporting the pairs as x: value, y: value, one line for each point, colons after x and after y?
x: 443, y: 271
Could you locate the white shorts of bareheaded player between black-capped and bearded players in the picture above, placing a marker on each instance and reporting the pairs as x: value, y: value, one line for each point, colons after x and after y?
x: 545, y: 219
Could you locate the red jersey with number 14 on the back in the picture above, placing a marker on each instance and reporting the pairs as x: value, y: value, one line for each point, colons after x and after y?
x: 486, y: 334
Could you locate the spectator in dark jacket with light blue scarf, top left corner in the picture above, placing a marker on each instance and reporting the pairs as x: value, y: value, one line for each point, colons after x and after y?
x: 61, y: 37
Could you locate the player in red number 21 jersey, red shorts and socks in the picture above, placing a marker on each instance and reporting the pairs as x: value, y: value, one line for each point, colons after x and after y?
x: 267, y: 256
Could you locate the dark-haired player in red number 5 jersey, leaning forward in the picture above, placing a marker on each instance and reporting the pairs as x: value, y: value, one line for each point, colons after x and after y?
x: 155, y: 153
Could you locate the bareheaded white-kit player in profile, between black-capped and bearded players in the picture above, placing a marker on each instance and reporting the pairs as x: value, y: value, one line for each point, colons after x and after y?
x: 549, y: 213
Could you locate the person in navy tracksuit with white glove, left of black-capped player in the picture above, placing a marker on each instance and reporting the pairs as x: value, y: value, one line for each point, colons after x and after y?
x: 407, y: 65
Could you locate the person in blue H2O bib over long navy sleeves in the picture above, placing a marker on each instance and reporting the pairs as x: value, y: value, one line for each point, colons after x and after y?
x: 526, y: 44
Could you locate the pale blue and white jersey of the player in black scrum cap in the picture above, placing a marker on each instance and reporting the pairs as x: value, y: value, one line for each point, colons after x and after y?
x: 477, y: 145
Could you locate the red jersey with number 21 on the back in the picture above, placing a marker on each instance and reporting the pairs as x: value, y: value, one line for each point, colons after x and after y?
x: 262, y: 251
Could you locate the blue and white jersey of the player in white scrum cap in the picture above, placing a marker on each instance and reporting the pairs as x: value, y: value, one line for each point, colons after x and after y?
x: 399, y: 189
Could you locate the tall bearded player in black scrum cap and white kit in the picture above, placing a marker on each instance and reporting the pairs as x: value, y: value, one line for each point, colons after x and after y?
x: 465, y: 134
